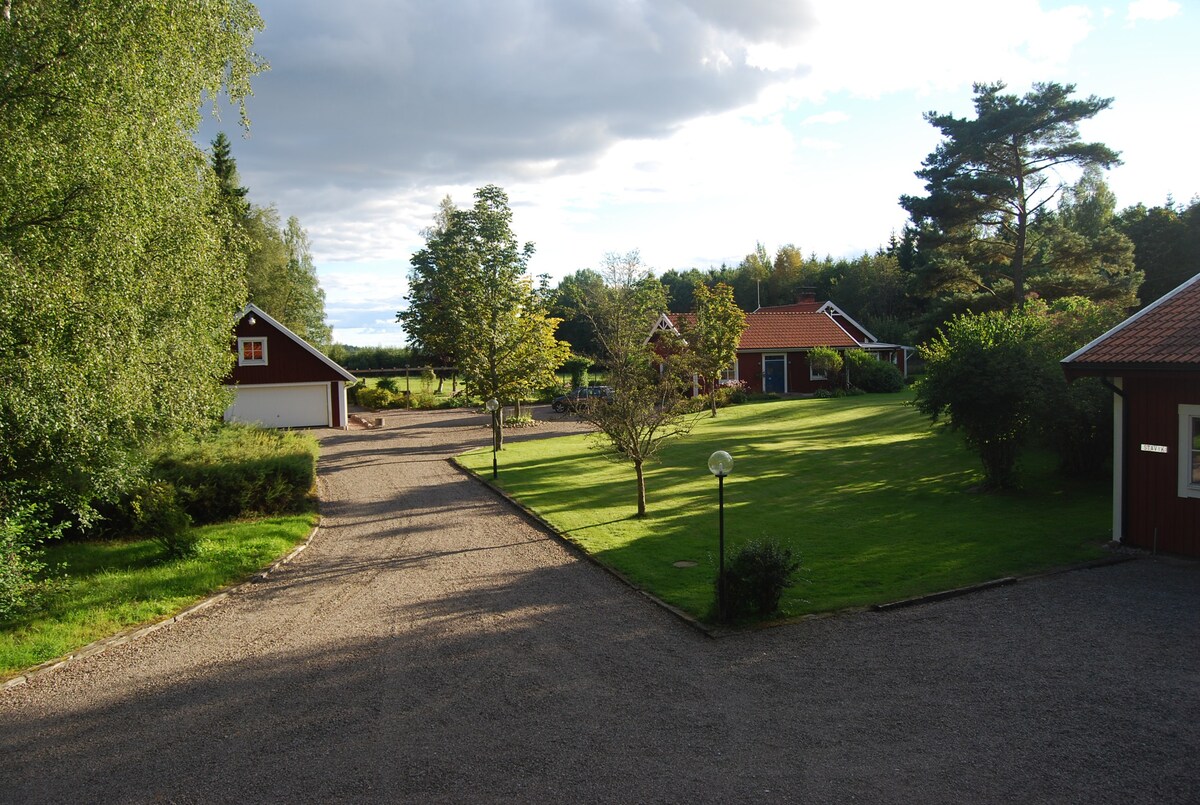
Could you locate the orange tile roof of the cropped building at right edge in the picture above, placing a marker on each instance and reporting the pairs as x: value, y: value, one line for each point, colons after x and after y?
x: 1163, y: 335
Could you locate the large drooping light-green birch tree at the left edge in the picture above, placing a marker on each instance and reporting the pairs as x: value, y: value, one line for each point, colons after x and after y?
x: 117, y: 291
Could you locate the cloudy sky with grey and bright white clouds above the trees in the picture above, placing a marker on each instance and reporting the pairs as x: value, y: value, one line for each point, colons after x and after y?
x: 686, y: 129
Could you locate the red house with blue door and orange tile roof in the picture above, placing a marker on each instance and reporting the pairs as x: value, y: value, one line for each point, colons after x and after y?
x: 773, y: 355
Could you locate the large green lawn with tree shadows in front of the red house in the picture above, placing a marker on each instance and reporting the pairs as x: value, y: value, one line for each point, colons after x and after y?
x: 879, y: 506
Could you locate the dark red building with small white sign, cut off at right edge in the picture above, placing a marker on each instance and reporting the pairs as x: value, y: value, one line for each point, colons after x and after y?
x: 1151, y: 362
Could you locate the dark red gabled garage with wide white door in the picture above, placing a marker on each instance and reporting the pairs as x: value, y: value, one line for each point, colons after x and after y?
x: 283, y: 381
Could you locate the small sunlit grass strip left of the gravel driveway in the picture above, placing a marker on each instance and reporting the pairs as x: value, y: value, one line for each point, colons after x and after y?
x: 112, y: 586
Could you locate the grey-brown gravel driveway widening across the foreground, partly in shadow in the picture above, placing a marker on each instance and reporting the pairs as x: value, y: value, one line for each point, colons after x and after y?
x: 431, y: 646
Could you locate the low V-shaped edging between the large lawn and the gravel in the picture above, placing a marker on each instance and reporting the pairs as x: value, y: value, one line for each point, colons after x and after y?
x: 723, y: 632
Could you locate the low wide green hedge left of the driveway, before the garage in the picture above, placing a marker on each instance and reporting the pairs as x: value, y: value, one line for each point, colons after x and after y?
x: 239, y: 472
